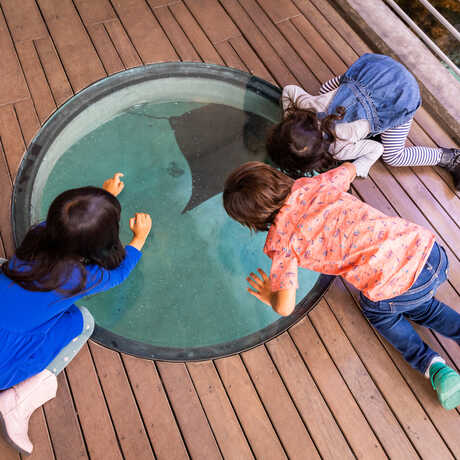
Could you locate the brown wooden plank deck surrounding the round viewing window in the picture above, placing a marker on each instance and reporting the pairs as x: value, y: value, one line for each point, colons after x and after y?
x: 328, y: 388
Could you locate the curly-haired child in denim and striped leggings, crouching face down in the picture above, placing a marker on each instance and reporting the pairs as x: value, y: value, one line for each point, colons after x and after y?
x: 375, y: 96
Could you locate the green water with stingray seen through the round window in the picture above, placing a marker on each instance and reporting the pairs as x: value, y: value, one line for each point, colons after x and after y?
x: 189, y: 289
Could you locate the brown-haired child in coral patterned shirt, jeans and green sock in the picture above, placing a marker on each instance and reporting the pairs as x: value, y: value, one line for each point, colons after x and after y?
x: 314, y: 223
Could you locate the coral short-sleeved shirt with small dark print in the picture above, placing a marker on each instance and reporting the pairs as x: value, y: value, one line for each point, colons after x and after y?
x: 325, y: 229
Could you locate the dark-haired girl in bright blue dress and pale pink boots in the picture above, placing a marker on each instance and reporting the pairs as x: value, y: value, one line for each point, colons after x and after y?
x: 75, y: 253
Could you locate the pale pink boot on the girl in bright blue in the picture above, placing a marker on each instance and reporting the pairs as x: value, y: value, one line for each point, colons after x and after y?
x: 19, y: 402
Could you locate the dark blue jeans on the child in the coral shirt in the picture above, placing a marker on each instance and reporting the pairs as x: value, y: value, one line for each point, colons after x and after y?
x: 390, y: 316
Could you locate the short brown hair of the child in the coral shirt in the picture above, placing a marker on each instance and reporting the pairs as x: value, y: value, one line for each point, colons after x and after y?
x: 254, y: 193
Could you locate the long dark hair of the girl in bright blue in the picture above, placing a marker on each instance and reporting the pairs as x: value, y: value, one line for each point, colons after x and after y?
x: 81, y: 228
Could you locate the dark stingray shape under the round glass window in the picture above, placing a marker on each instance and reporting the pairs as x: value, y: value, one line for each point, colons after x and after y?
x: 215, y: 139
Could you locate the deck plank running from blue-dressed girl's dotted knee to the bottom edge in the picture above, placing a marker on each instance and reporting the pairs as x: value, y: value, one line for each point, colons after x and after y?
x: 94, y: 416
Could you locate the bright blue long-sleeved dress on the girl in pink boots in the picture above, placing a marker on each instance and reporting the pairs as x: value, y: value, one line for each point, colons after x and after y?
x: 35, y: 326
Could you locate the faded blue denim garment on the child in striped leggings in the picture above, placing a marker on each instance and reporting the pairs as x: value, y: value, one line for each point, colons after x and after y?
x: 378, y: 89
